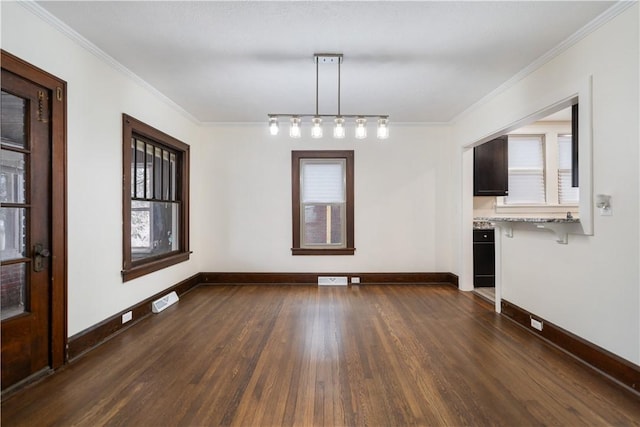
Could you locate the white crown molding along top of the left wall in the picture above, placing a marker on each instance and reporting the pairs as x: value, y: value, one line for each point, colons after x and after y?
x: 76, y: 37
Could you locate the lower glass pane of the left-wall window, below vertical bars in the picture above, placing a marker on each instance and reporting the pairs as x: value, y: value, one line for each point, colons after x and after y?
x: 154, y: 228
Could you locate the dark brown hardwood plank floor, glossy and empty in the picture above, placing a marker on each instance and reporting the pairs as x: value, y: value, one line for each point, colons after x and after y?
x: 331, y: 356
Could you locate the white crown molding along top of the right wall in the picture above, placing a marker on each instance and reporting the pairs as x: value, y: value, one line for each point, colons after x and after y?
x: 597, y: 22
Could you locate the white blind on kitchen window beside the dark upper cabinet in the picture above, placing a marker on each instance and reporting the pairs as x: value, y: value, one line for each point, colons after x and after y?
x: 526, y: 170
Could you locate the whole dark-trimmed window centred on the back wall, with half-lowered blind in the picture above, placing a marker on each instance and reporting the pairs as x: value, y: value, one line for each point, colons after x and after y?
x: 322, y: 201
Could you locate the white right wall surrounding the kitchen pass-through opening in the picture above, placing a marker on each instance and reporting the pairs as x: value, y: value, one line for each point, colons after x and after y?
x: 590, y: 286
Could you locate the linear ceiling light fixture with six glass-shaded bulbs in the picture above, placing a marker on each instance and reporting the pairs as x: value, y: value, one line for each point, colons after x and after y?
x: 339, y: 130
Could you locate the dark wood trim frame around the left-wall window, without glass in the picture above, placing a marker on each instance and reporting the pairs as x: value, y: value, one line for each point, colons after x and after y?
x: 131, y: 128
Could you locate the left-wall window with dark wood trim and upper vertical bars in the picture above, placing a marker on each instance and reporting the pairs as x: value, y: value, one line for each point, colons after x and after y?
x: 155, y: 199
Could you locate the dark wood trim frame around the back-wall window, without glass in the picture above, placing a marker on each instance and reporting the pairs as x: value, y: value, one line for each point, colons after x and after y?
x: 296, y: 156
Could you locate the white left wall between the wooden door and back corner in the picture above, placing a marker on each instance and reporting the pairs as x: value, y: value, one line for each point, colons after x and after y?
x: 97, y: 96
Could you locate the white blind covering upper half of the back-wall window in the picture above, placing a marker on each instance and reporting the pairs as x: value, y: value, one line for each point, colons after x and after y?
x: 323, y: 182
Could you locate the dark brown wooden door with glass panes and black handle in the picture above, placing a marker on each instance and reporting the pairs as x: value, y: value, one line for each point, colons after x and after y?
x: 26, y: 237
